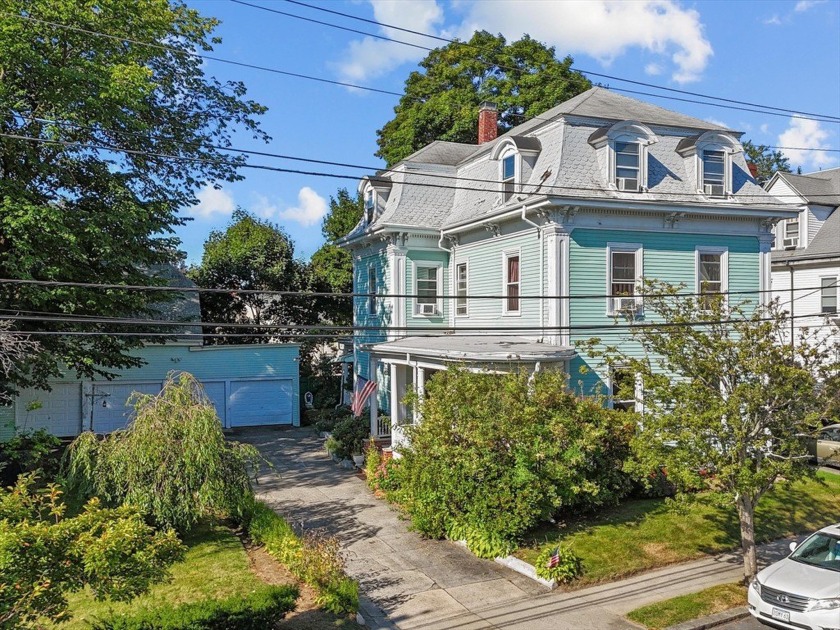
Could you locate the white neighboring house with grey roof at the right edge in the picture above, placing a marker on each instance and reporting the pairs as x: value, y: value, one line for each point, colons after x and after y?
x: 806, y: 252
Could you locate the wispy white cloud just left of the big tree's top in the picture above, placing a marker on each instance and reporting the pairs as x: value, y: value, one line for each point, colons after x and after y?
x: 369, y: 57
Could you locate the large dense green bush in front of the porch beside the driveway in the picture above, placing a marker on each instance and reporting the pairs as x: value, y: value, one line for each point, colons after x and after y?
x: 496, y: 454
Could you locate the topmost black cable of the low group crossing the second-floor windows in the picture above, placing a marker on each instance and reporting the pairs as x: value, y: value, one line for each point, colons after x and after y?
x: 359, y: 295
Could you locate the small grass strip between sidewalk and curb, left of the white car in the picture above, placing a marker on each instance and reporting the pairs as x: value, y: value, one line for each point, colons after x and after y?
x: 687, y: 607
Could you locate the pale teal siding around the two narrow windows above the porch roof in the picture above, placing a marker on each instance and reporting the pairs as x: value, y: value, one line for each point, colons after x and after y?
x: 486, y: 276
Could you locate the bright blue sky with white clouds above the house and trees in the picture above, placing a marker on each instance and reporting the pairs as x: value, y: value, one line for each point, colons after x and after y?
x: 784, y: 54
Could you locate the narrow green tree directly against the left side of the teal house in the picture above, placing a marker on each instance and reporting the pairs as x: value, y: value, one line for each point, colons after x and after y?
x: 332, y: 266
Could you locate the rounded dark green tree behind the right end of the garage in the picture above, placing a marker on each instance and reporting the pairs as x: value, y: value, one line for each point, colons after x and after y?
x: 251, y: 255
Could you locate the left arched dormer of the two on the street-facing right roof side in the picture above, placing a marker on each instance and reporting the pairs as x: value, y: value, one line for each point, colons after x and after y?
x: 626, y: 145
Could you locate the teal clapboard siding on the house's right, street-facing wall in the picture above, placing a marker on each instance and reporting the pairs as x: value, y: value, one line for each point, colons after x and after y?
x: 667, y: 256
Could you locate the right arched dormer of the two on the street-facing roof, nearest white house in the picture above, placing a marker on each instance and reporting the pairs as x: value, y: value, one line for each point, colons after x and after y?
x: 711, y: 153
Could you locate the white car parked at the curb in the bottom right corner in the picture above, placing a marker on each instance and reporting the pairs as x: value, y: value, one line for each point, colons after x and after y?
x: 803, y: 590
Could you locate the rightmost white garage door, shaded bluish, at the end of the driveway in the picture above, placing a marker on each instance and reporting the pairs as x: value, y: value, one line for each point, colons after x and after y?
x: 252, y: 403
